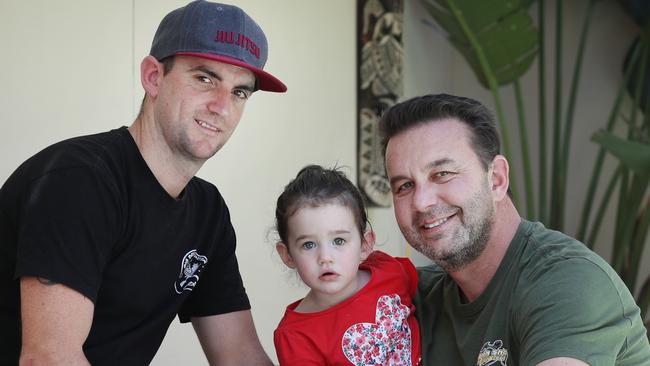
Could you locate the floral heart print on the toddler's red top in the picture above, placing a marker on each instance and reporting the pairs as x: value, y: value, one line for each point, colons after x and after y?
x: 385, y: 342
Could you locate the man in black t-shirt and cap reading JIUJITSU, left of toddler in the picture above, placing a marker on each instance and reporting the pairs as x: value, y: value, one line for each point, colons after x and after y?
x: 105, y: 238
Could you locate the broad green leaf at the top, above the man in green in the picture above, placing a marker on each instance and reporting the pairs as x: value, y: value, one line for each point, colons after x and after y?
x: 503, y: 28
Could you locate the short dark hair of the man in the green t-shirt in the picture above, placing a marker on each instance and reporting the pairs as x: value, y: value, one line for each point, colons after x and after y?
x: 434, y: 107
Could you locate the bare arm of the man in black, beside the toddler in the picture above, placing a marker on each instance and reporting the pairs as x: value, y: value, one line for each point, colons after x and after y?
x: 230, y: 339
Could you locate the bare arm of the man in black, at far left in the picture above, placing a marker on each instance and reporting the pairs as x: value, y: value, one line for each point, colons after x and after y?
x: 56, y: 321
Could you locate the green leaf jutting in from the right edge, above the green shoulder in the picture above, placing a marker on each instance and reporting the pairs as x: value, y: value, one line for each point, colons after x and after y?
x: 634, y: 155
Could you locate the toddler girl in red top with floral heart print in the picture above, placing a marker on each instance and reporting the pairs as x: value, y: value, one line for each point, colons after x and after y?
x: 359, y: 308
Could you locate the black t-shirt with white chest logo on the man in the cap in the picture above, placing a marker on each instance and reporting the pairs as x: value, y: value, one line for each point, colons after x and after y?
x: 88, y: 213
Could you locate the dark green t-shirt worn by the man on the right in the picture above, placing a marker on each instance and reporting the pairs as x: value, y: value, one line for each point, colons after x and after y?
x: 550, y: 297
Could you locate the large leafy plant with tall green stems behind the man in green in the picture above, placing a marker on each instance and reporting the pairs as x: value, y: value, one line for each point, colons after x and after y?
x: 499, y: 40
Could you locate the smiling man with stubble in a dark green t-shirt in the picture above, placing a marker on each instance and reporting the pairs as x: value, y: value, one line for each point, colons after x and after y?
x: 503, y: 290
